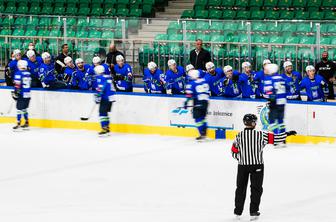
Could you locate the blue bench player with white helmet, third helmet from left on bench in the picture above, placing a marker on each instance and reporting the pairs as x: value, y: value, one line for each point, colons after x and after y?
x: 47, y: 74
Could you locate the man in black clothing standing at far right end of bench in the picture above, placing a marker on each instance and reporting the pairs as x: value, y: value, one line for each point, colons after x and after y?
x: 327, y: 68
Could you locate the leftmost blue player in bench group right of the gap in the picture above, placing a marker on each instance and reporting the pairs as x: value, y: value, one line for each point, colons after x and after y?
x: 153, y: 79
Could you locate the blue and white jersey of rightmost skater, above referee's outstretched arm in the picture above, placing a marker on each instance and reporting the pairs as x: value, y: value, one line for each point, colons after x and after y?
x: 275, y: 89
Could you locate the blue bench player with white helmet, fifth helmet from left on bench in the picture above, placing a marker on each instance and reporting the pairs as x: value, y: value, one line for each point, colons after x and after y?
x: 81, y: 77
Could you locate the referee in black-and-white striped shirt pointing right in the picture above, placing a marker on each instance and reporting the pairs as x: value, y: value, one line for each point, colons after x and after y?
x: 247, y: 148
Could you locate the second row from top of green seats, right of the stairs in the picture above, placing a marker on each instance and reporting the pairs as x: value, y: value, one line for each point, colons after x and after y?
x: 258, y: 15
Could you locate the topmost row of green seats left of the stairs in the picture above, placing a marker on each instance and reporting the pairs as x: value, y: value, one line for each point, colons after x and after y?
x: 95, y: 9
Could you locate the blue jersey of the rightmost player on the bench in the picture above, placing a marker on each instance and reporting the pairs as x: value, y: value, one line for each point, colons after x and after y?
x: 315, y: 88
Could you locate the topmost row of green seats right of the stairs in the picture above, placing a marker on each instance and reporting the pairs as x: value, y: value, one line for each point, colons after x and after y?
x: 267, y: 4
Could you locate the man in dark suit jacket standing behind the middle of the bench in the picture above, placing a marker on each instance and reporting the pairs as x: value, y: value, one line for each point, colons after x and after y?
x: 199, y: 56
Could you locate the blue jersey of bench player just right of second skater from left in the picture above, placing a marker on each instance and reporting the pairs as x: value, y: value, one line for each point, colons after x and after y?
x: 124, y: 82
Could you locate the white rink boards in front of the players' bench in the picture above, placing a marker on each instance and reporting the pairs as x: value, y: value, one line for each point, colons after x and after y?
x: 141, y: 109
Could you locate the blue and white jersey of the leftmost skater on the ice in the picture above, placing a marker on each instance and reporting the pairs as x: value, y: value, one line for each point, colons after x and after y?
x: 22, y: 83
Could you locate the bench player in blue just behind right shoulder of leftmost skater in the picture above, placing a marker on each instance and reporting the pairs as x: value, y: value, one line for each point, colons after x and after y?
x: 34, y: 63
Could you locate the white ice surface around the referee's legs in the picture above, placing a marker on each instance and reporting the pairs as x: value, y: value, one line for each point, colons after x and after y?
x: 54, y: 175
